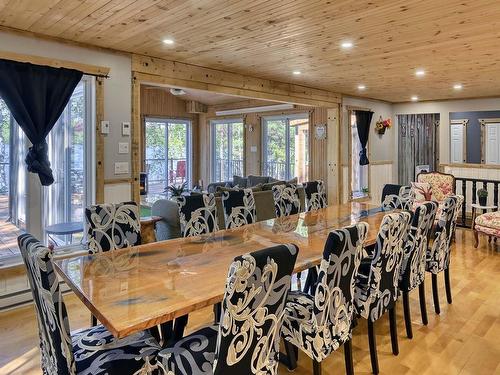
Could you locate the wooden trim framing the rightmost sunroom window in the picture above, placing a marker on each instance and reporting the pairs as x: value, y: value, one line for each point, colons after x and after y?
x: 287, y: 118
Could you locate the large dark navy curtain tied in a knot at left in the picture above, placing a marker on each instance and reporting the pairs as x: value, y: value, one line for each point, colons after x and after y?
x: 36, y: 96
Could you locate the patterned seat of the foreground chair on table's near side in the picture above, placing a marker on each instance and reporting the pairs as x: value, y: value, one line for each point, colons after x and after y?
x: 193, y: 354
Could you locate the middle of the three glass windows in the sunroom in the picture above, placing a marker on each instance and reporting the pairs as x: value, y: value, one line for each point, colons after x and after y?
x: 227, y: 149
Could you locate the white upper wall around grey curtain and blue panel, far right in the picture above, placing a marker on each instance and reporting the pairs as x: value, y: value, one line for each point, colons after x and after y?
x: 444, y: 108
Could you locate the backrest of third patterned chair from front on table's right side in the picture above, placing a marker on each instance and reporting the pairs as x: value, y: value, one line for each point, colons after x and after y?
x: 383, y: 278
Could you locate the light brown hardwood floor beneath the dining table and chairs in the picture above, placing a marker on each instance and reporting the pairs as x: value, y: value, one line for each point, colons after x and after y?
x: 464, y: 339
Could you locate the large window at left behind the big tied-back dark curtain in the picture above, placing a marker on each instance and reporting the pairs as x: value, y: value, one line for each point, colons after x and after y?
x: 24, y: 204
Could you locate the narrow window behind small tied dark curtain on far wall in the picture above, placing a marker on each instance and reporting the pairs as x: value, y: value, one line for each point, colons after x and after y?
x: 358, y: 173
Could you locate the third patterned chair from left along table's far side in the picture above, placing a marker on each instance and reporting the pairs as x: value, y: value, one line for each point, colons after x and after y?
x: 239, y: 208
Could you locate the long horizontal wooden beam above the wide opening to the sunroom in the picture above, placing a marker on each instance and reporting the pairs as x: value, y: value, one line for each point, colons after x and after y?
x: 159, y: 71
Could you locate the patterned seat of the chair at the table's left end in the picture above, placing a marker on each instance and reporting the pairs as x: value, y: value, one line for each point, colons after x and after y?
x: 97, y: 352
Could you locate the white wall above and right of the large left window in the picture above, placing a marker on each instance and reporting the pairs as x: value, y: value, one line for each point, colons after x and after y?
x: 117, y: 89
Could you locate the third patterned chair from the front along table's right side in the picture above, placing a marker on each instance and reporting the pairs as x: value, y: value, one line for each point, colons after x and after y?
x: 377, y: 280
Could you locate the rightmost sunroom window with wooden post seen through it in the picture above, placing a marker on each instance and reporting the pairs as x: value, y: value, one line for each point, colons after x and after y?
x: 285, y: 147
